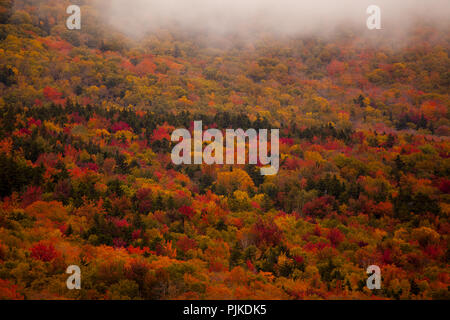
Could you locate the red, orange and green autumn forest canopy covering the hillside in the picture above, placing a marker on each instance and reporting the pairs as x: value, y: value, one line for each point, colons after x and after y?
x: 86, y: 176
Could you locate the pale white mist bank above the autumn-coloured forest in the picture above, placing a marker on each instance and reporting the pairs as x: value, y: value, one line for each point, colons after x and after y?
x: 135, y: 17
